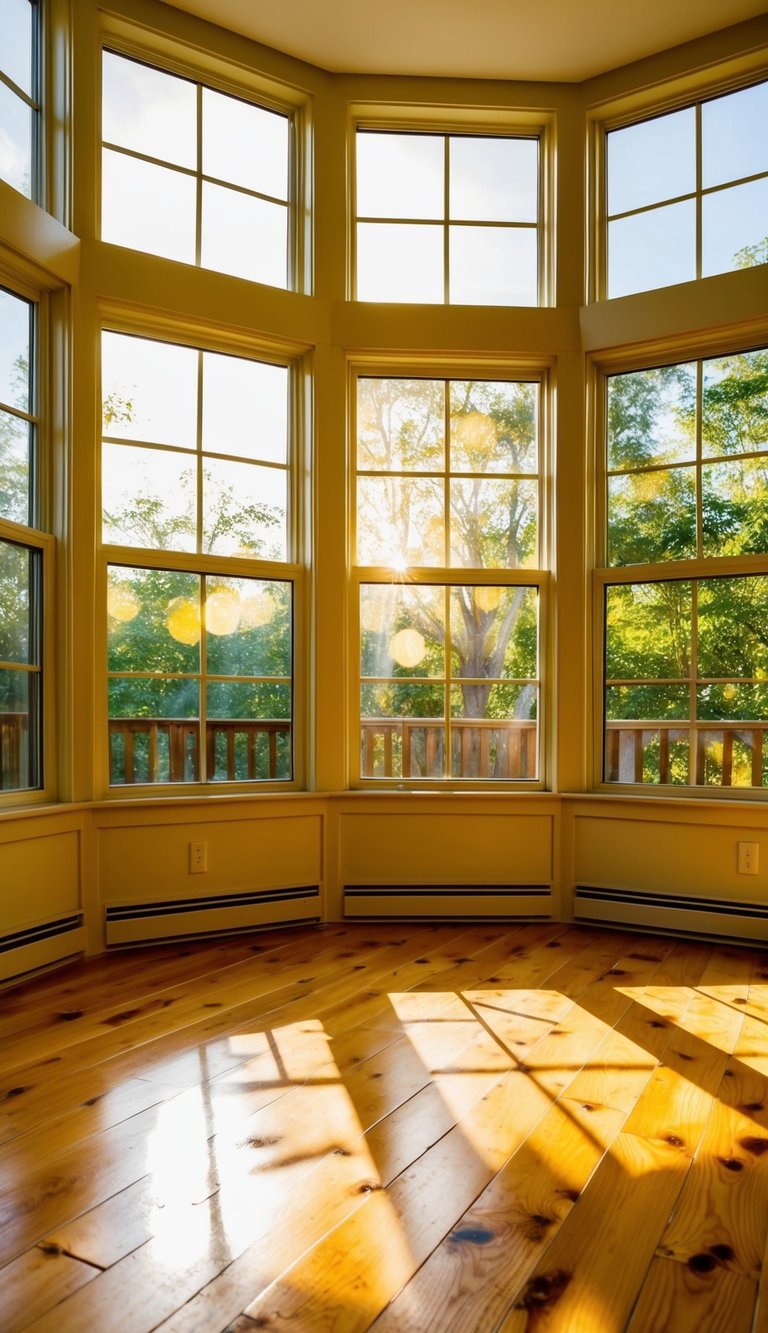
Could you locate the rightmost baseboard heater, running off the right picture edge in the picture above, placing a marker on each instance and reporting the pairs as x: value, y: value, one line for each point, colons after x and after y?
x: 677, y: 914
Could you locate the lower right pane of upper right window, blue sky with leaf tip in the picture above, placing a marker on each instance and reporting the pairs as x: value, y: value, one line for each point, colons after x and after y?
x: 734, y: 227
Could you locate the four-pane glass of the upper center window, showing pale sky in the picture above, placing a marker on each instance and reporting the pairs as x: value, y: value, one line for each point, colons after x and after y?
x: 447, y: 219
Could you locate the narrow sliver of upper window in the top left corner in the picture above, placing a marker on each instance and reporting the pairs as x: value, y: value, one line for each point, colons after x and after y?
x: 19, y: 95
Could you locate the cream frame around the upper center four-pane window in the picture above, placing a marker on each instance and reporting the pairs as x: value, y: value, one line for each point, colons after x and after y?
x: 457, y: 122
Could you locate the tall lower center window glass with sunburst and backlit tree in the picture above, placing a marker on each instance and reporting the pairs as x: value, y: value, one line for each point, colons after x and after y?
x: 449, y: 583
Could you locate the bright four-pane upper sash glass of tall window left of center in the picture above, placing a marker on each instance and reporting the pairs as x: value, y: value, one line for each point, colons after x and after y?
x: 195, y: 455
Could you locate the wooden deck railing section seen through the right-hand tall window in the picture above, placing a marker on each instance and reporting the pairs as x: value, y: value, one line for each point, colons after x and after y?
x: 714, y: 755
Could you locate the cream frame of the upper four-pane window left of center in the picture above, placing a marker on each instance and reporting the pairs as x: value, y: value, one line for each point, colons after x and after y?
x: 119, y: 38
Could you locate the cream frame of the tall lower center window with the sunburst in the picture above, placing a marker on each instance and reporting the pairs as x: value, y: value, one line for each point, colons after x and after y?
x: 486, y: 370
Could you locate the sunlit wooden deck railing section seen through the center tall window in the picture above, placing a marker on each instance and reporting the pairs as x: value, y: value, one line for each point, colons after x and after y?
x: 413, y: 747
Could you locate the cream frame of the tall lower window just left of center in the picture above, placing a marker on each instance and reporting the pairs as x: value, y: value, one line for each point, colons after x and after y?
x: 294, y: 571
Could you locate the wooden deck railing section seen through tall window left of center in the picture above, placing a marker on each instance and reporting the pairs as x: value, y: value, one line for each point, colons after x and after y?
x: 170, y: 750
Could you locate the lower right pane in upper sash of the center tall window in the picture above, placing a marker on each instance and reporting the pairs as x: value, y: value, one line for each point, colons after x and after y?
x: 493, y: 523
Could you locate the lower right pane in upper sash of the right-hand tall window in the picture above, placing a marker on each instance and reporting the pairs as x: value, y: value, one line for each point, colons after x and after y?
x: 735, y: 507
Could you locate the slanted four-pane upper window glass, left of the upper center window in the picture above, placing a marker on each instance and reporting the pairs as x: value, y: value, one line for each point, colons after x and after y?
x: 215, y: 167
